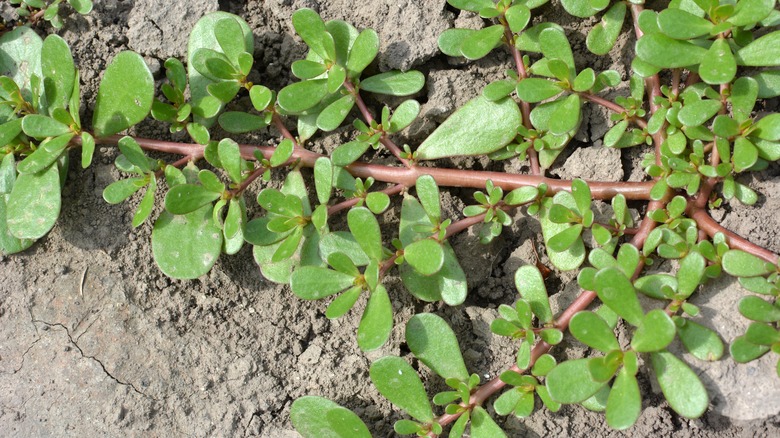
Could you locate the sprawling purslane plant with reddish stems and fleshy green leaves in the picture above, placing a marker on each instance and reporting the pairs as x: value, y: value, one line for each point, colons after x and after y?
x: 718, y: 62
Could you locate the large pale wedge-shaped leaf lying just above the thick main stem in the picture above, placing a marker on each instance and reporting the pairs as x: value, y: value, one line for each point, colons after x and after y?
x: 477, y: 128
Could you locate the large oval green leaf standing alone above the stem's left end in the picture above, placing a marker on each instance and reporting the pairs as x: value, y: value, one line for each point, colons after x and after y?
x: 125, y: 95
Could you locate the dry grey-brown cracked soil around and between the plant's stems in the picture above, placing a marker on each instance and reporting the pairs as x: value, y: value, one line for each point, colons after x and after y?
x: 133, y: 353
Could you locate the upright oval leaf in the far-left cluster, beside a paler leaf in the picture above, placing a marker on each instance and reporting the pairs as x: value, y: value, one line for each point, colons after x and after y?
x: 59, y: 74
